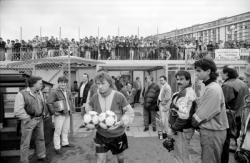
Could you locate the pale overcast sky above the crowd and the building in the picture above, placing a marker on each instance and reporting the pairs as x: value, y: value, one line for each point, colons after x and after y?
x: 109, y: 17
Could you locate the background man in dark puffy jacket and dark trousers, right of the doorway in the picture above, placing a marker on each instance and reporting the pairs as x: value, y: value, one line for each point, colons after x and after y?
x: 150, y: 94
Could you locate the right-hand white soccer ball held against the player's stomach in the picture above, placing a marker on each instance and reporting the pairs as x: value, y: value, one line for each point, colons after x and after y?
x: 107, y: 119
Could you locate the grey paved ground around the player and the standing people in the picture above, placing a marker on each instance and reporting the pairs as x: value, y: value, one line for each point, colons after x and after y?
x: 144, y: 147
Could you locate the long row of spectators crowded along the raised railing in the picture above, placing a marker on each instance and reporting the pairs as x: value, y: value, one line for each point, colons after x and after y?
x: 112, y: 48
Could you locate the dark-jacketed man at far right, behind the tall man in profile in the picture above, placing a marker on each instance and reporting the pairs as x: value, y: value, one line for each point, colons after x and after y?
x: 234, y: 92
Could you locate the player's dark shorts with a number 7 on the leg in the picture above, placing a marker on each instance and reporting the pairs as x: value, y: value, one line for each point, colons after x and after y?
x: 116, y: 144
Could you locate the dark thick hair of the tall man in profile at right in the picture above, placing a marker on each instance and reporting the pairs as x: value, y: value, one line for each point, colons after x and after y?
x: 207, y: 64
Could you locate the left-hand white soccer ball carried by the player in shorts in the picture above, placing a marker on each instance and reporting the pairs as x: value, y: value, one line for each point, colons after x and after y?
x: 90, y: 119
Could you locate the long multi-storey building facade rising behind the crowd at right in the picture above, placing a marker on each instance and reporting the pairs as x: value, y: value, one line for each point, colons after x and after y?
x: 225, y: 29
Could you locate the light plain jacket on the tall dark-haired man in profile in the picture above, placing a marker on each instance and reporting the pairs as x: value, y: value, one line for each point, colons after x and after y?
x: 211, y: 109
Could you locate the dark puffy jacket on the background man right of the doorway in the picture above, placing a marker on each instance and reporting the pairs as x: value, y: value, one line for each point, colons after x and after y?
x: 151, y: 96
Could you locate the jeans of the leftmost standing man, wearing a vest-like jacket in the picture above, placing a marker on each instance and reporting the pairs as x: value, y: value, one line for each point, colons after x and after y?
x: 27, y: 128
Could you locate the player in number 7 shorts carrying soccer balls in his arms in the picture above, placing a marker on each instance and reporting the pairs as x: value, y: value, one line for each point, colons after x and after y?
x: 113, y: 138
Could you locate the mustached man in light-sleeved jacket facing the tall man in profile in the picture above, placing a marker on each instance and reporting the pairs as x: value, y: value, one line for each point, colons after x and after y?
x: 180, y: 114
